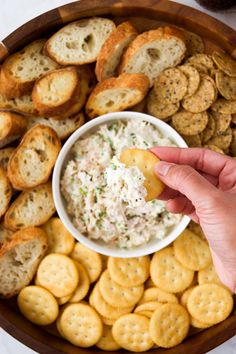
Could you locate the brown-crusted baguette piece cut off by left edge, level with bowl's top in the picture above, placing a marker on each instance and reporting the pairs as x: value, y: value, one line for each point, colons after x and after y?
x: 12, y: 127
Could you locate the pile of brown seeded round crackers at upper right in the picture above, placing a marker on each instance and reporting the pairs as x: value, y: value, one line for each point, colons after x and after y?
x: 198, y: 99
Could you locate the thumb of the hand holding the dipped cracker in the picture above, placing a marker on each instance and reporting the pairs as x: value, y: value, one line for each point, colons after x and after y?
x: 186, y: 180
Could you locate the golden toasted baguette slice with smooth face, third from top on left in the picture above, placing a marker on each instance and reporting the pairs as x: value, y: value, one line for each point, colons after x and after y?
x: 55, y: 92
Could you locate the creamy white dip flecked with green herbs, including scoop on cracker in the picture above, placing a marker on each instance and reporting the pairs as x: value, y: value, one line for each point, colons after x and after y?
x: 106, y: 200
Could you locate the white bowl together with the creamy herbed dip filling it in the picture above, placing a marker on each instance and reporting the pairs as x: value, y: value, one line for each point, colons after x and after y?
x: 100, y: 201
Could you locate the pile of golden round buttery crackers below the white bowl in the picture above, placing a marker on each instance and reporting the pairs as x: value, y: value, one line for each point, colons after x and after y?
x: 130, y: 303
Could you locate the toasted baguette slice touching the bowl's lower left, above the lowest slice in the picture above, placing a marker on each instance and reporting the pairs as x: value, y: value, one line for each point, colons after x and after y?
x: 31, y: 208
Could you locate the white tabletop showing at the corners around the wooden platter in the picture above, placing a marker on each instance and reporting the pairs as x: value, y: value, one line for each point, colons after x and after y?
x: 14, y: 13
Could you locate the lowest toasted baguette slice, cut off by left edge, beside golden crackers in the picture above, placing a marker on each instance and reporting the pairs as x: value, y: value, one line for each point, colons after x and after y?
x: 19, y: 259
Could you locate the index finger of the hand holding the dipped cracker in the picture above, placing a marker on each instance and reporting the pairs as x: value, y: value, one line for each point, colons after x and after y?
x: 200, y: 159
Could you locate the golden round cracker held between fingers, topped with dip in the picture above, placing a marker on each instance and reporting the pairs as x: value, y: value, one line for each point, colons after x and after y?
x: 146, y: 162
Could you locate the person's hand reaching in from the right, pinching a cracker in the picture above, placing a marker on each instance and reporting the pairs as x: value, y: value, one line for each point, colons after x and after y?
x: 202, y: 184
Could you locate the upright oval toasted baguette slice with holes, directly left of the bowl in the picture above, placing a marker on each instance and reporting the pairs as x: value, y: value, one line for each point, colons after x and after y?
x: 32, y: 161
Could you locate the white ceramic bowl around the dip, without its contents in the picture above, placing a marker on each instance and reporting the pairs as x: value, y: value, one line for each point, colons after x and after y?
x: 100, y: 246
